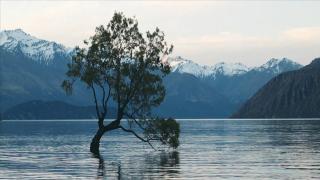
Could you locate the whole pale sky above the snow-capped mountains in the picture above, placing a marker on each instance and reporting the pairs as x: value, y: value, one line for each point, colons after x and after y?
x: 207, y: 32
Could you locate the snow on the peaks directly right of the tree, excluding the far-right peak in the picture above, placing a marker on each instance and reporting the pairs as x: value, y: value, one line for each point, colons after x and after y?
x: 181, y: 65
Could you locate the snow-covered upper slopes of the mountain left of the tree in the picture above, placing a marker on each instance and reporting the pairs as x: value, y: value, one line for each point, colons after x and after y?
x: 17, y: 41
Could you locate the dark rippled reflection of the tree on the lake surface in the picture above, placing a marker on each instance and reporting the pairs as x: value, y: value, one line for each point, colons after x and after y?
x: 163, y: 164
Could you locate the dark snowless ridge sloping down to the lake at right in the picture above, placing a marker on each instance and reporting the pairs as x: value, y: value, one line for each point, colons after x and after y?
x: 294, y: 94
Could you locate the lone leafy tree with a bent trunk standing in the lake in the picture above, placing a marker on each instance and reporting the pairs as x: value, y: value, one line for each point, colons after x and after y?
x: 125, y: 69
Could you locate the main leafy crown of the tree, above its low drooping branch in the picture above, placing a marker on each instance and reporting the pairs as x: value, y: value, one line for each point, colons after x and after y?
x: 121, y: 60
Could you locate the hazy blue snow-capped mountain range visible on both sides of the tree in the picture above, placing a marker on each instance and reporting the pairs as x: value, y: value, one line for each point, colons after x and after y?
x: 33, y: 69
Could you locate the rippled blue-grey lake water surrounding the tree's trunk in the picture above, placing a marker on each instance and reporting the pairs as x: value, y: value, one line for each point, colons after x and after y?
x: 210, y: 149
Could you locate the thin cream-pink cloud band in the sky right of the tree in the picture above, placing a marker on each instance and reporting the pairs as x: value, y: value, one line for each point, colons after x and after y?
x: 309, y: 35
